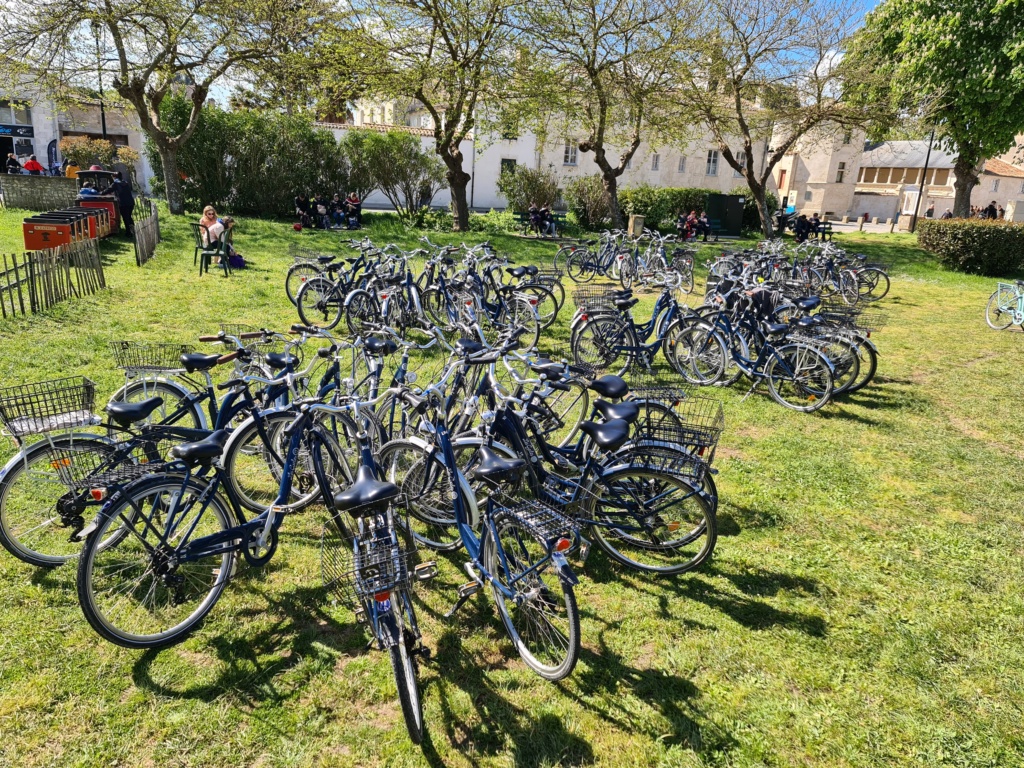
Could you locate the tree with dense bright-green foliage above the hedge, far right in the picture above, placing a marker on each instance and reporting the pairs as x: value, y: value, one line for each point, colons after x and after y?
x: 958, y: 69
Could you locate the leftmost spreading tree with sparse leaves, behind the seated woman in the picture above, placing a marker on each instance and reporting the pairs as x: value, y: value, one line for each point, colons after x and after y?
x: 145, y: 50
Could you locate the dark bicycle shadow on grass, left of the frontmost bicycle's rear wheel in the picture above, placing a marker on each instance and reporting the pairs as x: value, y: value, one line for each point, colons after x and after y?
x: 297, y: 623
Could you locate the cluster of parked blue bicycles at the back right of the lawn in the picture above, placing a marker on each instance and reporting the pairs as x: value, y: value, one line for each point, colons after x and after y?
x: 802, y: 327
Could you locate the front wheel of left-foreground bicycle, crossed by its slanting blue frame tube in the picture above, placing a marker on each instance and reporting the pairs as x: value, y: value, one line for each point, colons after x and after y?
x: 254, y: 465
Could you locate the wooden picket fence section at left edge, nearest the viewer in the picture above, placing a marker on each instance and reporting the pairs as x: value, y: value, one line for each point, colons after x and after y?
x: 38, y: 280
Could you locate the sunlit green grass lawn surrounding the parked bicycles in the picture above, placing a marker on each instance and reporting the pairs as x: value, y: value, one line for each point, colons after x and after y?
x: 863, y: 609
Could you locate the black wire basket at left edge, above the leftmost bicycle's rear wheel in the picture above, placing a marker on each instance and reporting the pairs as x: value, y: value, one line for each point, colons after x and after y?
x: 49, y: 406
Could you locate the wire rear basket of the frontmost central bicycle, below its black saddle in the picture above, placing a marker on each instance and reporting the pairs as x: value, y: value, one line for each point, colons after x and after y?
x: 355, y: 570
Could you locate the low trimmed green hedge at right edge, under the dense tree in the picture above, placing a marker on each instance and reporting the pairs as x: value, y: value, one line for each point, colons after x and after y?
x: 976, y: 246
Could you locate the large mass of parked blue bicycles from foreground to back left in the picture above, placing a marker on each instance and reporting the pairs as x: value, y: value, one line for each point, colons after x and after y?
x: 432, y: 425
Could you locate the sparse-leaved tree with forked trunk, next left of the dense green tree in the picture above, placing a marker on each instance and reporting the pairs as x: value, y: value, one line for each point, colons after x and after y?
x: 762, y: 74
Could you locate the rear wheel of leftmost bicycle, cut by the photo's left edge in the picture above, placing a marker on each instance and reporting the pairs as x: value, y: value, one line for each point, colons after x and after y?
x: 35, y: 483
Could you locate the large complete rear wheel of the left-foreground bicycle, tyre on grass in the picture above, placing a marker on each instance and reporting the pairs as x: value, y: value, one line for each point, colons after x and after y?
x: 144, y: 592
